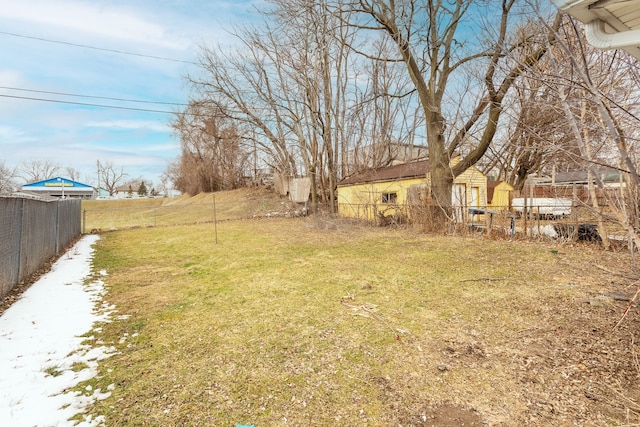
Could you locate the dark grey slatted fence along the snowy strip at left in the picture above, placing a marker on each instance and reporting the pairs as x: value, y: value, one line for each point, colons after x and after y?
x: 31, y: 233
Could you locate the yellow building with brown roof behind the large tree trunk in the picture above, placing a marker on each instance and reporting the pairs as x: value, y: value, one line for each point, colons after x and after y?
x: 389, y: 192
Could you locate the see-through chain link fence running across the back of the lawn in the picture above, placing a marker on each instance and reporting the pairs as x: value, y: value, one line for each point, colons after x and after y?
x: 573, y: 222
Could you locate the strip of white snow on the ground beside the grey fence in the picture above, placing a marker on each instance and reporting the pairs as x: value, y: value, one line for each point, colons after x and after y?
x: 41, y: 339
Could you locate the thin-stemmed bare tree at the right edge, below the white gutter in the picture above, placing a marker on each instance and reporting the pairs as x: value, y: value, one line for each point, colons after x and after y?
x: 605, y: 84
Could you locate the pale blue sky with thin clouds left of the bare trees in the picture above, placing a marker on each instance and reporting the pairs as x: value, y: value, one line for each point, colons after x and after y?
x: 77, y: 136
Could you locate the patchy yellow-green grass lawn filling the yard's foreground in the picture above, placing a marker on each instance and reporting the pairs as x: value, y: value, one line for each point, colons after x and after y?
x: 286, y: 322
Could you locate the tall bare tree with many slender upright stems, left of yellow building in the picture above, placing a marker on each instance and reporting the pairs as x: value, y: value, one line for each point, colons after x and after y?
x: 303, y: 93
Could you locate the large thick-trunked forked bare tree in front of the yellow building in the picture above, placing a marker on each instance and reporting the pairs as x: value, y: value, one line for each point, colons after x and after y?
x: 433, y: 41
